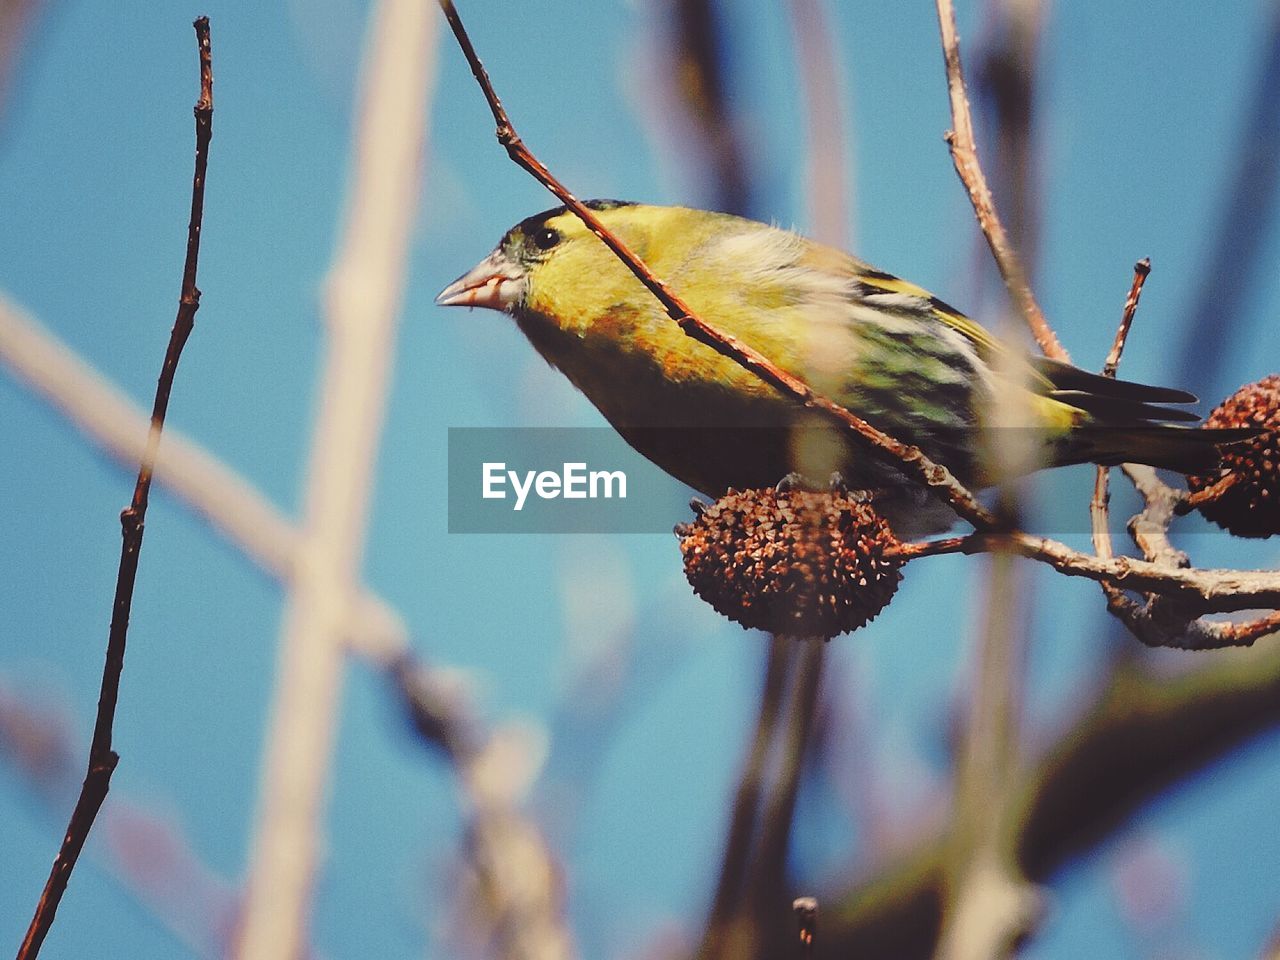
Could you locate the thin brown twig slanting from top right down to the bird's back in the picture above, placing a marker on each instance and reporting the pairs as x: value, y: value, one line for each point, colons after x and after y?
x: 964, y: 156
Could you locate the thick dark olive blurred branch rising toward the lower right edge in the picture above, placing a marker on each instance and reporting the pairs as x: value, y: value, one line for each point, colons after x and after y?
x: 1140, y: 735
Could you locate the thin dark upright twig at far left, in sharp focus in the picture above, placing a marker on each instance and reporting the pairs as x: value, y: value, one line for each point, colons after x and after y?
x: 103, y: 758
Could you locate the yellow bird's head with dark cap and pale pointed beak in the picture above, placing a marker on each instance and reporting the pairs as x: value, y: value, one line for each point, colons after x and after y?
x: 533, y: 254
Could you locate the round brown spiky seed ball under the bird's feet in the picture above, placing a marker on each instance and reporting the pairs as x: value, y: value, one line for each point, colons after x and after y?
x: 796, y: 563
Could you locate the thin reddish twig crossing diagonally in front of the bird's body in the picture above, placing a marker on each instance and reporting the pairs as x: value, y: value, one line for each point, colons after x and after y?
x: 912, y: 460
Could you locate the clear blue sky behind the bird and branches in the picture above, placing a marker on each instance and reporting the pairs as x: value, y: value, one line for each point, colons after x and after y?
x: 1137, y: 136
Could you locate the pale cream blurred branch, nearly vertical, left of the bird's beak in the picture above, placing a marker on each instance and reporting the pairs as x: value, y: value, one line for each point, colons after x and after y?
x: 363, y: 303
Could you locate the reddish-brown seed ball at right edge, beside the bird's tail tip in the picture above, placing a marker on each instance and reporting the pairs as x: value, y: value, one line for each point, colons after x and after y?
x: 1246, y: 500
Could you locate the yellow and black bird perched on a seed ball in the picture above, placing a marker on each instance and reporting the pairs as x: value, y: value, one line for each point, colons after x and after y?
x: 885, y: 349
